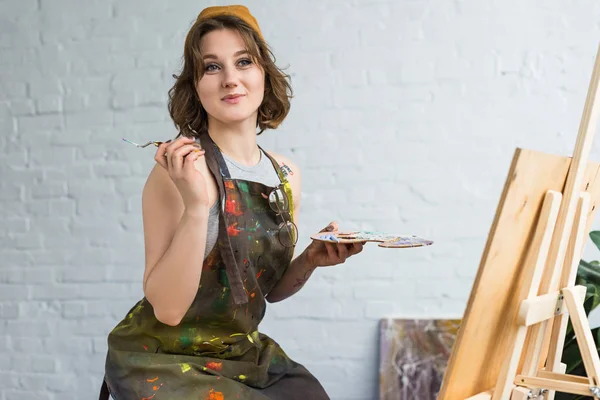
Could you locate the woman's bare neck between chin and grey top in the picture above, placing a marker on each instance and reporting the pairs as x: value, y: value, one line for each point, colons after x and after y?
x: 238, y: 142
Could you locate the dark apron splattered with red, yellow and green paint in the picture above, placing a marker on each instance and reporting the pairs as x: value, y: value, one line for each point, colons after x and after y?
x: 216, y: 352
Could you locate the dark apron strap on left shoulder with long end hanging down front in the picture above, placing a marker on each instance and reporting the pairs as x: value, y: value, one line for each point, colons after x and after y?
x: 212, y: 156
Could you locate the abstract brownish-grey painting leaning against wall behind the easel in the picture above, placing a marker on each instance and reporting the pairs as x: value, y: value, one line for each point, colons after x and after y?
x: 413, y: 357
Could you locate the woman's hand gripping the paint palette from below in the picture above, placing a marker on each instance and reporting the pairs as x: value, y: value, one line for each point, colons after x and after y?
x: 322, y: 254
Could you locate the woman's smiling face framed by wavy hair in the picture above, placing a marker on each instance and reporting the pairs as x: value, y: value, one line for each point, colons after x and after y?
x: 233, y: 86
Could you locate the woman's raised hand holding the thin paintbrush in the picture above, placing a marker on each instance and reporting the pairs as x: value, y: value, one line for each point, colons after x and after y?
x: 178, y: 158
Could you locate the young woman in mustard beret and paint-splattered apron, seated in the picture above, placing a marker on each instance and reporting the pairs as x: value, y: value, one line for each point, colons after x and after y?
x: 219, y: 223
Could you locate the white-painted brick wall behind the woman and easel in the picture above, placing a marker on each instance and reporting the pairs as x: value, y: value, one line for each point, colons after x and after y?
x: 405, y: 119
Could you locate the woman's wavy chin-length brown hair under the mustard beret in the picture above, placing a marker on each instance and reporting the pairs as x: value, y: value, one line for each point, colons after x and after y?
x: 188, y: 114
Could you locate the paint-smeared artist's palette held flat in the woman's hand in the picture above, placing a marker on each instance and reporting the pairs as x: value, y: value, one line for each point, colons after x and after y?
x: 384, y: 239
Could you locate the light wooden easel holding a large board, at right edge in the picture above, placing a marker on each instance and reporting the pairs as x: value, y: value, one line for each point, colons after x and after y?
x: 511, y: 339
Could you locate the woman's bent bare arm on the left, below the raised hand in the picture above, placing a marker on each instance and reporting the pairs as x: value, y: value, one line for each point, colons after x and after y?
x: 175, y: 241
